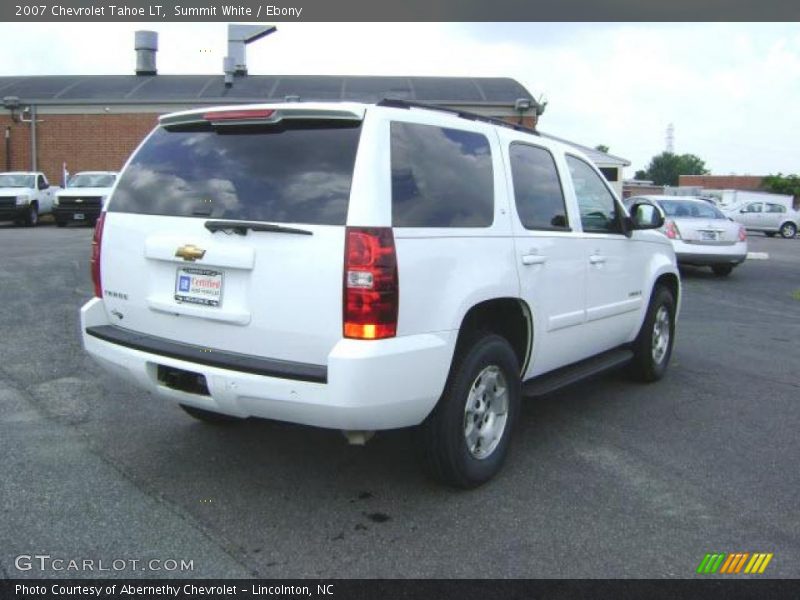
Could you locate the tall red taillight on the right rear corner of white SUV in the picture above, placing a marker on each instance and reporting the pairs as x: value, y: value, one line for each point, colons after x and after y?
x: 371, y: 288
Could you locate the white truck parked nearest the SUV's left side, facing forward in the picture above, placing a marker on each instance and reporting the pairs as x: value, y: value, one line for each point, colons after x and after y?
x: 83, y: 198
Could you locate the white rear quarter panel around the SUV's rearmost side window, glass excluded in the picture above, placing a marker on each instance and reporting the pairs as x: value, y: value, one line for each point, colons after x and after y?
x: 443, y: 272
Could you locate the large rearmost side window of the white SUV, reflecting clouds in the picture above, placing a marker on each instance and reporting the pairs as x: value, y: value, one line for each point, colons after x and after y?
x: 440, y: 177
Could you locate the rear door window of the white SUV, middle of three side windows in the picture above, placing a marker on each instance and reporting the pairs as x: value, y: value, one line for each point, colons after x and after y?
x: 537, y: 189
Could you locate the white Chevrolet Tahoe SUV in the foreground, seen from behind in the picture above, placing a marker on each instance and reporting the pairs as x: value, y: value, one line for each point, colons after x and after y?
x: 369, y: 267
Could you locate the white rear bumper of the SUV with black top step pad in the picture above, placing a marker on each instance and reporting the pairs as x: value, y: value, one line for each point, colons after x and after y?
x: 371, y: 385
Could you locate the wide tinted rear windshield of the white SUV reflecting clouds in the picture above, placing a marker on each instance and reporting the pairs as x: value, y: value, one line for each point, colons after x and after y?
x: 293, y: 172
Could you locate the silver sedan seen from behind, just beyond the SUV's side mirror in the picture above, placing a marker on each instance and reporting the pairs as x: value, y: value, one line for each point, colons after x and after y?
x: 701, y: 234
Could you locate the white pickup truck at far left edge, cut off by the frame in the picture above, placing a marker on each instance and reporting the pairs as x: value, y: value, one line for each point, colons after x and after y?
x: 24, y: 196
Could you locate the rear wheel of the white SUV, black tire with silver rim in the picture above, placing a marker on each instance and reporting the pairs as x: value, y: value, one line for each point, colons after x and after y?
x: 482, y: 359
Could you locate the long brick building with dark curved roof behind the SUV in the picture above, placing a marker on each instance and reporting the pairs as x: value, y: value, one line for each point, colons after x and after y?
x: 95, y: 122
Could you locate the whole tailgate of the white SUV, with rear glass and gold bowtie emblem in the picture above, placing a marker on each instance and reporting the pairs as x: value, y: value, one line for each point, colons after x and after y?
x: 230, y: 234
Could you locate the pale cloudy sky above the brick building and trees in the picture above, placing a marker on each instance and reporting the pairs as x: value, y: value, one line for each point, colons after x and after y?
x: 731, y: 90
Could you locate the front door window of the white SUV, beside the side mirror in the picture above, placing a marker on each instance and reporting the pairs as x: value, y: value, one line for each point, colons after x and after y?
x: 597, y: 205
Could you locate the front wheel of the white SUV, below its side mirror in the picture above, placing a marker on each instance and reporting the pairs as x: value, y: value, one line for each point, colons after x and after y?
x: 646, y: 366
